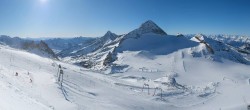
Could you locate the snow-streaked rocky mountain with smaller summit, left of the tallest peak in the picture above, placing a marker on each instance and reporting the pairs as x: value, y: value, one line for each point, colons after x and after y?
x: 92, y: 53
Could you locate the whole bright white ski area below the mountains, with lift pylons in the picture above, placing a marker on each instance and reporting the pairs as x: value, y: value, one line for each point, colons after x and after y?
x: 208, y: 85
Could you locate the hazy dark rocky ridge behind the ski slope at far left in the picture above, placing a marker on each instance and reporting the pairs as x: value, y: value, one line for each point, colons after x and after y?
x: 39, y: 48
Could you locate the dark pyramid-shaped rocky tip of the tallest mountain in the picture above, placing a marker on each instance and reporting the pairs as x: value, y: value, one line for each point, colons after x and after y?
x: 150, y: 27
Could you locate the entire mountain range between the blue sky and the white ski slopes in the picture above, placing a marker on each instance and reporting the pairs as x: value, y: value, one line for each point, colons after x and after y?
x: 102, y: 52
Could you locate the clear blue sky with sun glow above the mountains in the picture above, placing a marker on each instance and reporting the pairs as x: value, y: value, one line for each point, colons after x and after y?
x: 71, y: 18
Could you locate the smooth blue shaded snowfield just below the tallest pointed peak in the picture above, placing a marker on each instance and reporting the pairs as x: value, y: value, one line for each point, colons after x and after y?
x: 155, y: 44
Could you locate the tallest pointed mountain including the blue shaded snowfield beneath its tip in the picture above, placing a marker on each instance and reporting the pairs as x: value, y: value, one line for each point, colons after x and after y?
x: 150, y: 37
